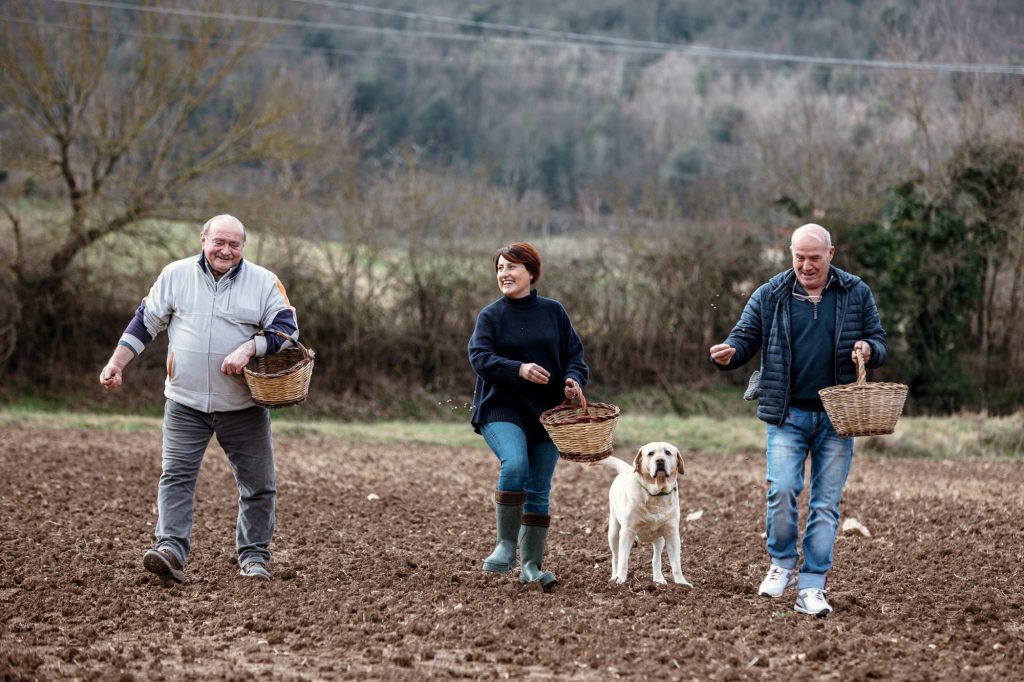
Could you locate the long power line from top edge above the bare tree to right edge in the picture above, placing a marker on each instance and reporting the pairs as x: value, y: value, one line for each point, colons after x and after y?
x: 595, y: 42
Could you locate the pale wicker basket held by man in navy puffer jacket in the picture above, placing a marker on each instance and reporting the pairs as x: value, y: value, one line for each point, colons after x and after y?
x: 863, y: 409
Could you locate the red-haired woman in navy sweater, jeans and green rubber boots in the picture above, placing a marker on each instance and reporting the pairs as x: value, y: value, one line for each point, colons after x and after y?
x: 528, y: 358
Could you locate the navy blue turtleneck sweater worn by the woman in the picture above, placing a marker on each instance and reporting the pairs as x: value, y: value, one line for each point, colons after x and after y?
x: 509, y: 333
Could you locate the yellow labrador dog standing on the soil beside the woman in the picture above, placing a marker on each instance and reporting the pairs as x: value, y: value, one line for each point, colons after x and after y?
x: 644, y: 505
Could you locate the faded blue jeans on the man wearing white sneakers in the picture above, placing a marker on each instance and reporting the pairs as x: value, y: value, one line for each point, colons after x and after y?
x: 789, y: 445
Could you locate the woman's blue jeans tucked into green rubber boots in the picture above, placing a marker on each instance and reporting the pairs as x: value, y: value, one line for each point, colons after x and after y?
x: 525, y: 466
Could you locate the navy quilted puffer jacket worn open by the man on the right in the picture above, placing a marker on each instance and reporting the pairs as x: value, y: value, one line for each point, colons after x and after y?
x: 765, y: 326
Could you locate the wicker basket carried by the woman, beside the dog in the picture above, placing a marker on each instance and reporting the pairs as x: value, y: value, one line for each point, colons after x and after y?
x: 582, y: 434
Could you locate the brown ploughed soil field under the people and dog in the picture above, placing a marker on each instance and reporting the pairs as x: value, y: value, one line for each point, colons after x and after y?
x: 391, y: 588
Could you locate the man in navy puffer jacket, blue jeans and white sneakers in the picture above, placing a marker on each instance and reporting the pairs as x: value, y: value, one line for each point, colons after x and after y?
x: 808, y: 322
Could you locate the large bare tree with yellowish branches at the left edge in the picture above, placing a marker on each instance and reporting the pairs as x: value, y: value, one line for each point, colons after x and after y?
x: 119, y: 118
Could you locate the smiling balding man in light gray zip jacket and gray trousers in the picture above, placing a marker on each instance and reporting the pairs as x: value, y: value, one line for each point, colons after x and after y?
x: 216, y: 310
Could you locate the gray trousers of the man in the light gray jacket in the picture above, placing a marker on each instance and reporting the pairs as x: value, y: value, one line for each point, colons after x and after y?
x: 245, y: 436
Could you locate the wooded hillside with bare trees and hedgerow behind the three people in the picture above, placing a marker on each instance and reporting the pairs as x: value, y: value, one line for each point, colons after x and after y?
x: 659, y: 152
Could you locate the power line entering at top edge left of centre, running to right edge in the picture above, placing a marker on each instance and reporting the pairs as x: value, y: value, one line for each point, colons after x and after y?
x: 694, y: 51
